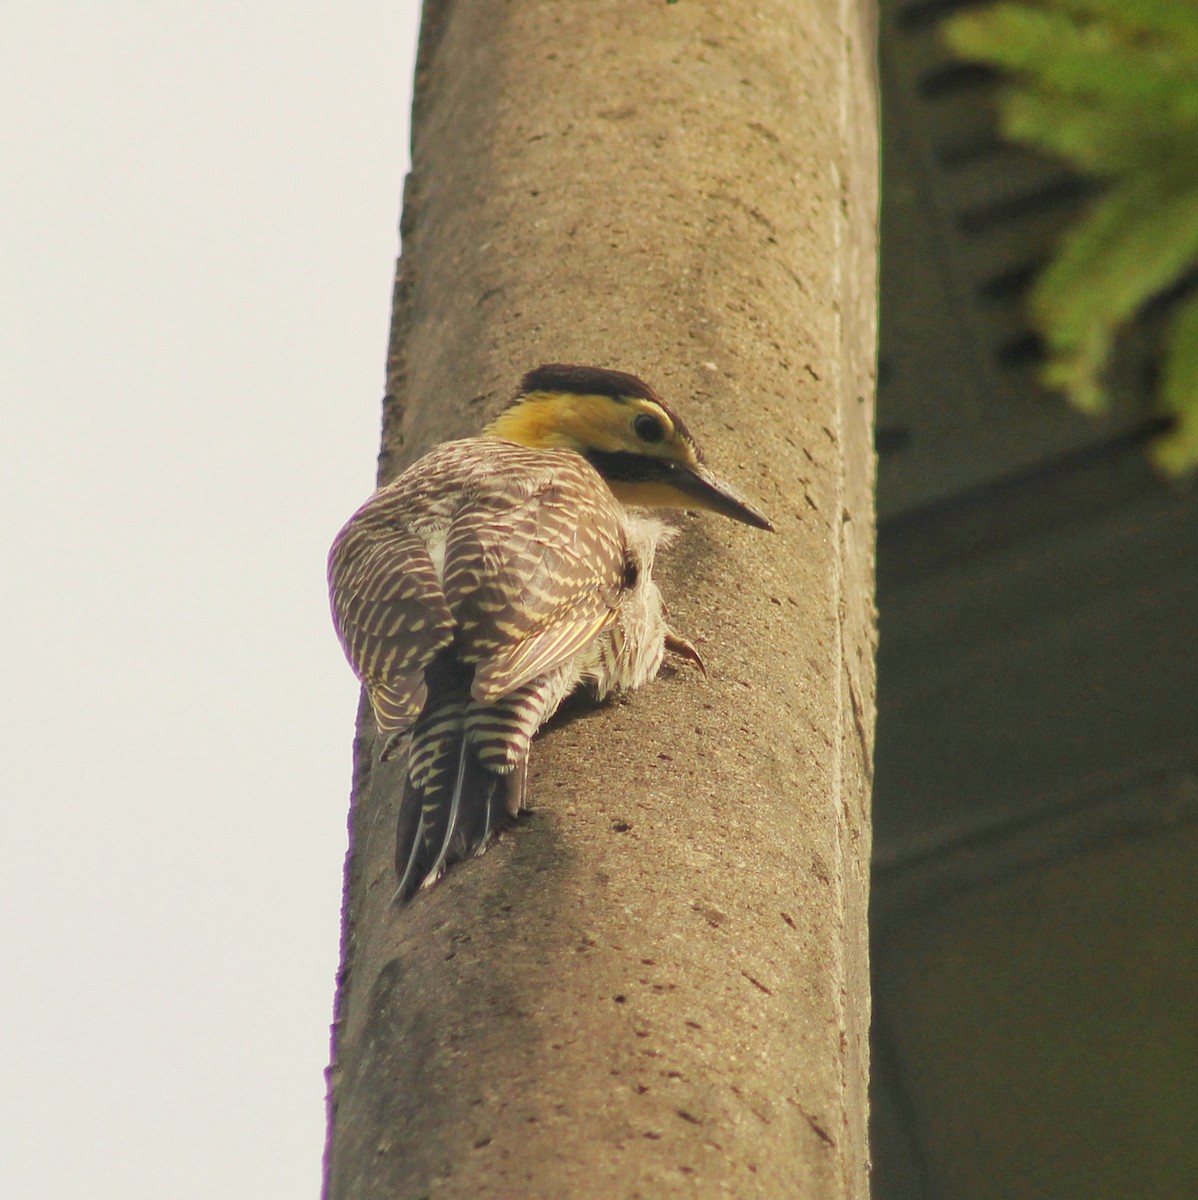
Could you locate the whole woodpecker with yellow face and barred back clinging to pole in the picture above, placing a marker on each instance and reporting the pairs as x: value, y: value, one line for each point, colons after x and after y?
x: 501, y: 573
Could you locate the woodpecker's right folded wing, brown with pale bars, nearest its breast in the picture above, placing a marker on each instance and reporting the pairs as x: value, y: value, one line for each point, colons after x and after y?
x: 534, y: 579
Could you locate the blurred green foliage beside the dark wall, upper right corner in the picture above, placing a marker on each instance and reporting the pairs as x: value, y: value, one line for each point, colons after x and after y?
x: 1111, y: 86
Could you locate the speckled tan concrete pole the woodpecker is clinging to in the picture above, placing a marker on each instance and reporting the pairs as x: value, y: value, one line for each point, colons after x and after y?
x: 657, y: 985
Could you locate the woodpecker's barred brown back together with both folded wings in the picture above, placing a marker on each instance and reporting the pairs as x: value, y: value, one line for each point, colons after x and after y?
x: 513, y: 556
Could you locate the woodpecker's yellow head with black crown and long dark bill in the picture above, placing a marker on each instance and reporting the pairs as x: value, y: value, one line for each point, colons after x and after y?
x: 633, y: 439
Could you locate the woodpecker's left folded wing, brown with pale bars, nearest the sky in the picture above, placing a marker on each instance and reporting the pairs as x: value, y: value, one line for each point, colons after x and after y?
x: 388, y: 609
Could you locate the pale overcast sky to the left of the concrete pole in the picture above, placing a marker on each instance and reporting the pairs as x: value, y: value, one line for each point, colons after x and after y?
x: 200, y: 207
